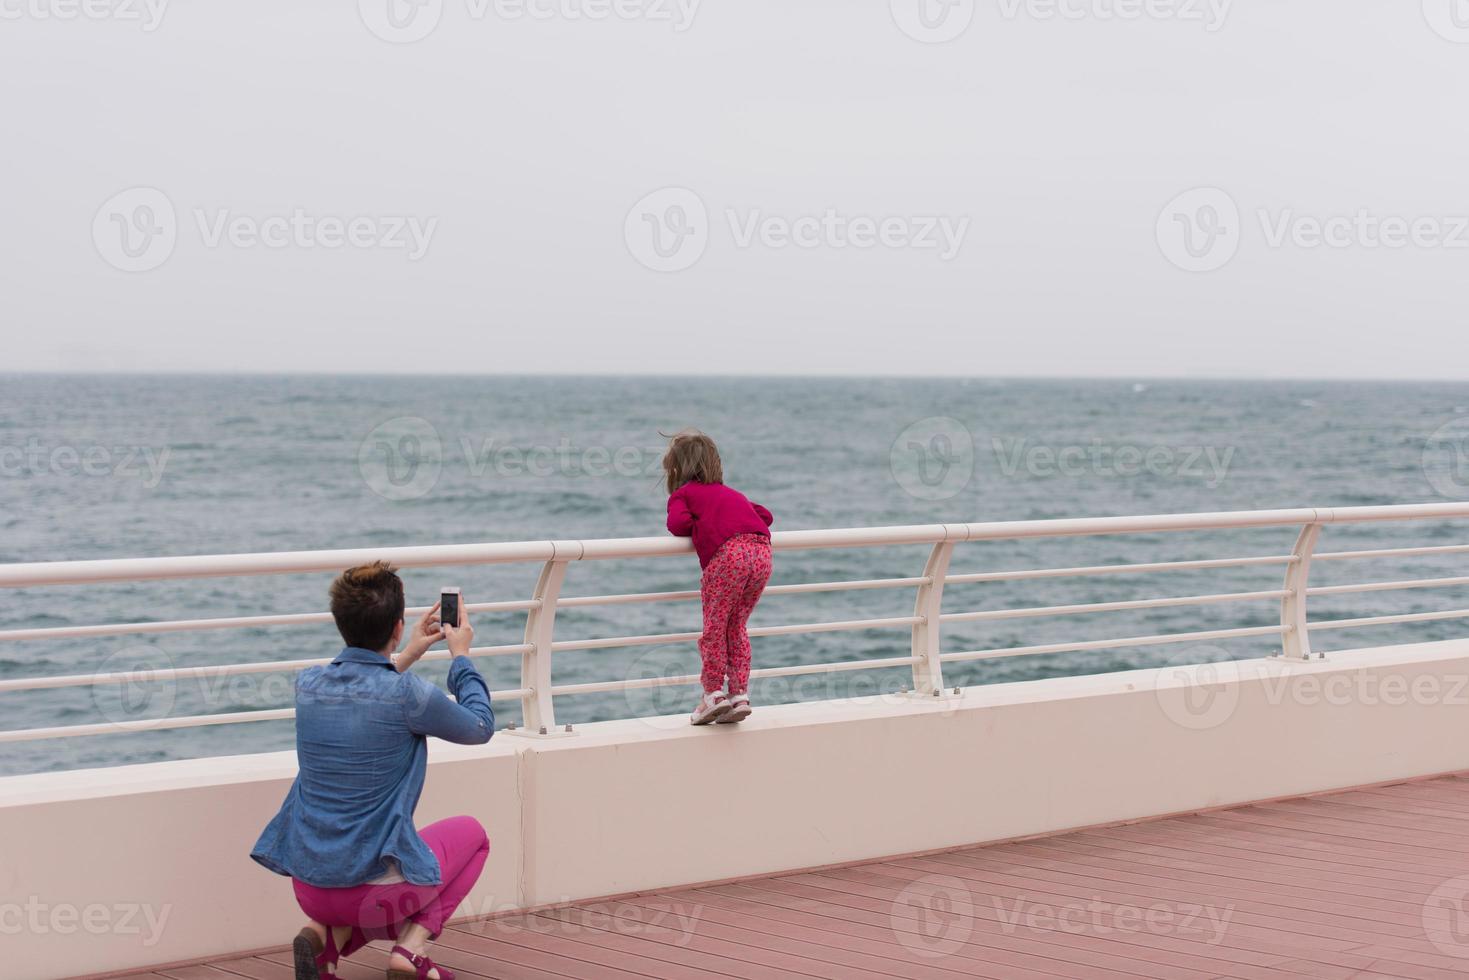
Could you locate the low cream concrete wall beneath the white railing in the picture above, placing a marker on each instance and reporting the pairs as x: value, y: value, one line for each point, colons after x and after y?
x: 613, y: 809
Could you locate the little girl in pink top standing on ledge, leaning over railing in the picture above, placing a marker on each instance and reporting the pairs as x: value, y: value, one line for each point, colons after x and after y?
x: 732, y: 537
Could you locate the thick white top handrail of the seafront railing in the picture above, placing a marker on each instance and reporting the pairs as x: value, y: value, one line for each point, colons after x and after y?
x: 39, y: 574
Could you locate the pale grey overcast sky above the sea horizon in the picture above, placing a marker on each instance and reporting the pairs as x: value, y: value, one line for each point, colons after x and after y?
x: 737, y: 187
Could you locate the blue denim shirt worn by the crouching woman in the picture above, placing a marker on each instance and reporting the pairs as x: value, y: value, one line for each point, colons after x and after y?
x: 362, y: 744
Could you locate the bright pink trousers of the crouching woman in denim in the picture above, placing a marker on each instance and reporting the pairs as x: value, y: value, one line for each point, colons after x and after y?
x: 378, y: 912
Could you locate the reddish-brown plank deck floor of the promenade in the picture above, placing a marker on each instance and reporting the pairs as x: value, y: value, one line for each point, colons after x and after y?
x: 1333, y: 887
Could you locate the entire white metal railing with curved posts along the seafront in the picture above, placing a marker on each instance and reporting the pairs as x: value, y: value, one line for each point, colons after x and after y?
x: 538, y: 691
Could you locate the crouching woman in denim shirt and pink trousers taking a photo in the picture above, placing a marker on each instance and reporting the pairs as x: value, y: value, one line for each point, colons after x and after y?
x: 346, y: 832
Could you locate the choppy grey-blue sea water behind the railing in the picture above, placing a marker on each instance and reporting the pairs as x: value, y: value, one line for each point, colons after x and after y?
x: 143, y: 466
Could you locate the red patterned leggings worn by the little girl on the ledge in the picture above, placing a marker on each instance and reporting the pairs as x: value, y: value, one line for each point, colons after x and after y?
x: 731, y: 588
